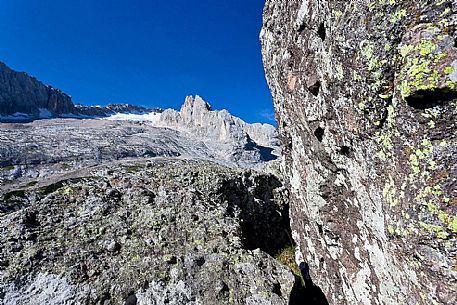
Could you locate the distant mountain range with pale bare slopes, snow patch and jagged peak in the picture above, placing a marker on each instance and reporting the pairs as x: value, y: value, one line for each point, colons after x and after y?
x: 196, y: 130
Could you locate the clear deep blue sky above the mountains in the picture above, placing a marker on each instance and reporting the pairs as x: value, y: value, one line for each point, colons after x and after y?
x: 144, y: 52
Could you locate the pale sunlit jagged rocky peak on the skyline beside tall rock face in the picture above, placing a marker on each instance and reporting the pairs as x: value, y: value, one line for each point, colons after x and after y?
x: 230, y: 137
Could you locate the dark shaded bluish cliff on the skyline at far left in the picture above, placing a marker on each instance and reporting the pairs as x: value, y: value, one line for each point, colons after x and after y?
x: 21, y: 93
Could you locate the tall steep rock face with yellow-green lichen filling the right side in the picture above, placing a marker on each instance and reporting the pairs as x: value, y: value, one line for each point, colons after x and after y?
x: 364, y: 94
